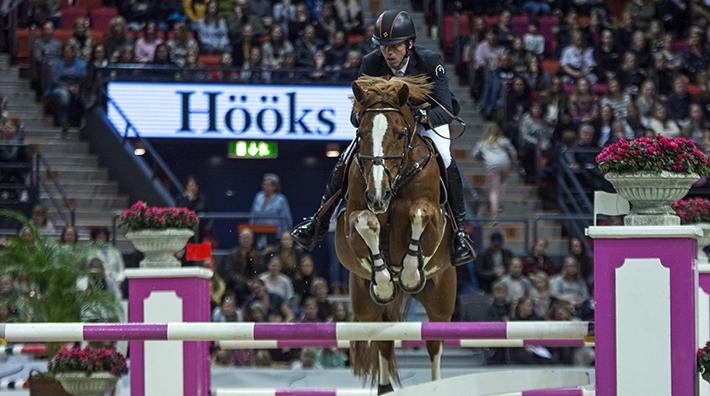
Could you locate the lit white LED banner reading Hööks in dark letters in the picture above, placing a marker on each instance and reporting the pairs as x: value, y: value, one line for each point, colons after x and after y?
x: 230, y: 111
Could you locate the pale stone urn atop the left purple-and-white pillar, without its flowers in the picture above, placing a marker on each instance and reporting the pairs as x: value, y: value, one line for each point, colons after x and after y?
x: 160, y: 246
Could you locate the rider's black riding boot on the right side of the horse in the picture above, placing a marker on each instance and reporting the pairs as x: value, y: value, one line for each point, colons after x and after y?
x: 461, y: 248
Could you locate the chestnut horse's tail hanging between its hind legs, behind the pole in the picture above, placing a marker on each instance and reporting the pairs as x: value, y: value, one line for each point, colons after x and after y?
x: 364, y: 355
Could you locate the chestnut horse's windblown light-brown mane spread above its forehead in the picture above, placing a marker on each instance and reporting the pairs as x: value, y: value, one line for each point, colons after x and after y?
x: 419, y: 87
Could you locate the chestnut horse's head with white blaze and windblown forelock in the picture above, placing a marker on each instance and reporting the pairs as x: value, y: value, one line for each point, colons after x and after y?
x: 385, y: 133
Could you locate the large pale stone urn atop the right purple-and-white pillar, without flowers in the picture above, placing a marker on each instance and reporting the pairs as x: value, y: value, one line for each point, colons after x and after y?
x: 651, y: 195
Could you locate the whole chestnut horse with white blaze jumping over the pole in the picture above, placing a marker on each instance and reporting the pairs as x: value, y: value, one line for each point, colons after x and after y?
x: 393, y: 233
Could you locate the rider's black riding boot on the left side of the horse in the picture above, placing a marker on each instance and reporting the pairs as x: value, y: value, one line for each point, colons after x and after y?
x: 313, y: 229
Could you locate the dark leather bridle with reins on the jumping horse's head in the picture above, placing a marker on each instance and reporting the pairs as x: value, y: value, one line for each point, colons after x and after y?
x: 401, y: 177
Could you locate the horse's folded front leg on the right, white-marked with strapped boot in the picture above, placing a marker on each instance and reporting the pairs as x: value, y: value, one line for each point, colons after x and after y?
x: 421, y: 246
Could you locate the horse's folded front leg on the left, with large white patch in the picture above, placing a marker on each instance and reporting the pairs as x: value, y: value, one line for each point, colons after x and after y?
x: 382, y: 287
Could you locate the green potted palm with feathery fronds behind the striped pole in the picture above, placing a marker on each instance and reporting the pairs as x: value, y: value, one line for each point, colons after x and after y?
x: 51, y: 271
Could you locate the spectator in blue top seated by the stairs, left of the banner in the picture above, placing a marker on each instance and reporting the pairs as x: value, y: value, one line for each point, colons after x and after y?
x: 63, y: 90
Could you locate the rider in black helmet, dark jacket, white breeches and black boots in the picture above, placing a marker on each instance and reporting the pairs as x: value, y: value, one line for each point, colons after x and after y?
x: 398, y: 56
